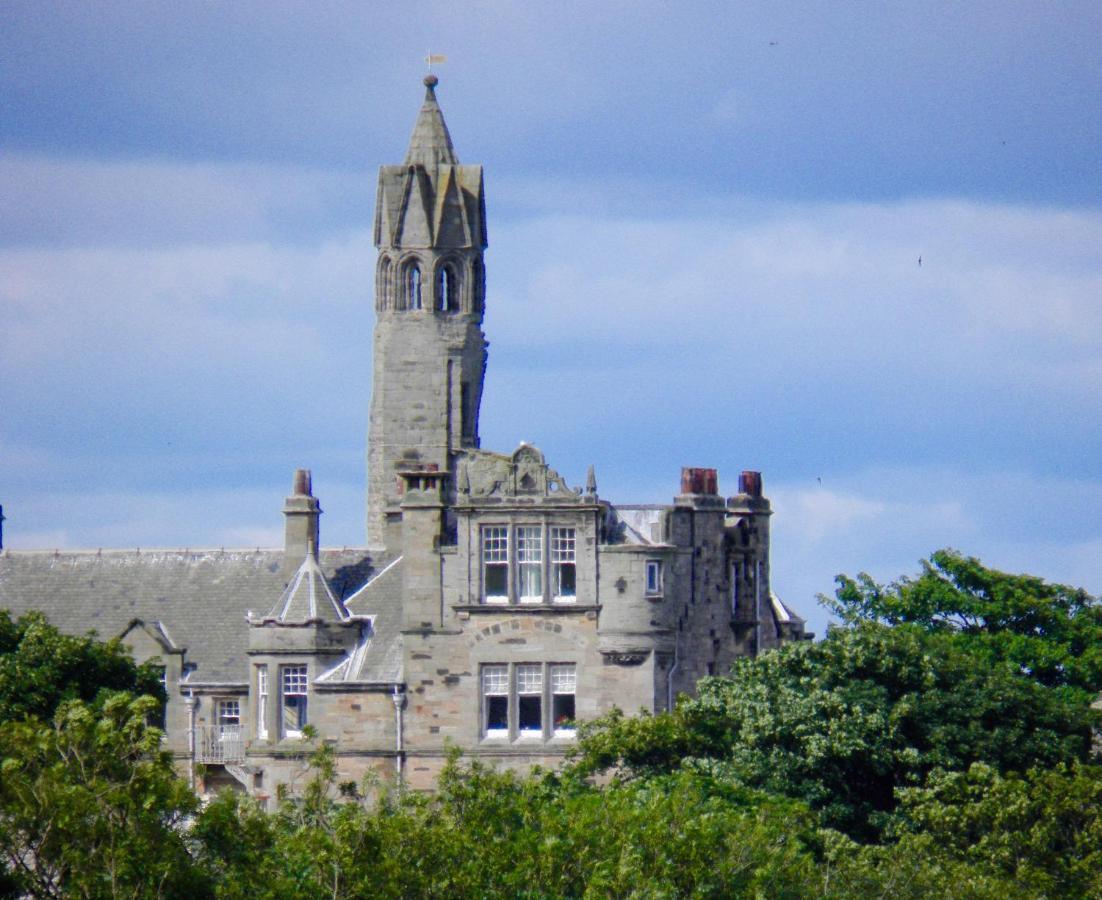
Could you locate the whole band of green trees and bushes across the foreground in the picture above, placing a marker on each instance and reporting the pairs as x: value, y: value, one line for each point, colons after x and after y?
x: 882, y: 762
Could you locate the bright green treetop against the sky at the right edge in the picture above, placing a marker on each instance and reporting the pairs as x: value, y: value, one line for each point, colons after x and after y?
x: 1052, y: 633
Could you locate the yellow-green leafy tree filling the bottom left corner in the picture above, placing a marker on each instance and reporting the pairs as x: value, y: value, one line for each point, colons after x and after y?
x: 92, y: 807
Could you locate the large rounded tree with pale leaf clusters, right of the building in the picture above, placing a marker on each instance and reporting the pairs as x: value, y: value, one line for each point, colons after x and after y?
x: 846, y: 723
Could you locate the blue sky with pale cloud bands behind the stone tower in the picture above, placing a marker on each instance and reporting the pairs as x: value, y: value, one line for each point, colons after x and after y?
x: 855, y: 246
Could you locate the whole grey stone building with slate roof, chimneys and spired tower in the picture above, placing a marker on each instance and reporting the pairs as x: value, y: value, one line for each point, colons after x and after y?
x: 494, y: 605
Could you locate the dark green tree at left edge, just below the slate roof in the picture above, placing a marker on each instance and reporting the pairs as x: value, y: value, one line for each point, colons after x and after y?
x: 41, y: 668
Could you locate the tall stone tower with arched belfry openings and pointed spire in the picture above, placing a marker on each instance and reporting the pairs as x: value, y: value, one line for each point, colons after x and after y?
x: 430, y: 351
